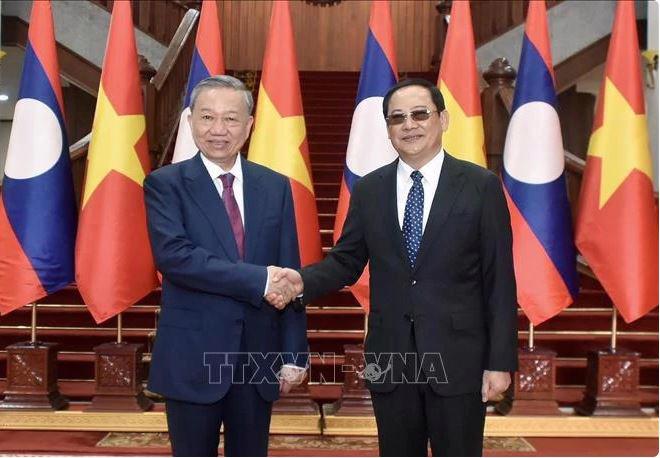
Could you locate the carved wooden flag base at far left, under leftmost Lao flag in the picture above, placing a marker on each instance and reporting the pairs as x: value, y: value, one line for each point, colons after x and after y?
x: 32, y: 378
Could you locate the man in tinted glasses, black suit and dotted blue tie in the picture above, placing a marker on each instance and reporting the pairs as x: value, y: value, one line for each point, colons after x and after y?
x: 442, y: 333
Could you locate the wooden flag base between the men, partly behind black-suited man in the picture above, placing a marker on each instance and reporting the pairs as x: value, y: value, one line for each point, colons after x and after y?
x: 355, y: 399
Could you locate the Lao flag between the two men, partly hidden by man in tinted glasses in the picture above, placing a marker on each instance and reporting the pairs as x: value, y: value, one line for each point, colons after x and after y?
x: 369, y: 146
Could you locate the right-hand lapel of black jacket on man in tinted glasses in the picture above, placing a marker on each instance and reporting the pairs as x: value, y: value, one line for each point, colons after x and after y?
x: 449, y: 185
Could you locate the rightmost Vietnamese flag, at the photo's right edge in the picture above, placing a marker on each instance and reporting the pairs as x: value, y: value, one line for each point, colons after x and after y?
x: 617, y: 224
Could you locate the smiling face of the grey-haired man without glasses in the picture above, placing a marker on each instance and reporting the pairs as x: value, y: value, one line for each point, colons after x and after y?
x: 220, y: 124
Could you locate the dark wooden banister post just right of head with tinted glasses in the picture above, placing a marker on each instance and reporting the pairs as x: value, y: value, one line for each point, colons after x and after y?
x: 496, y: 101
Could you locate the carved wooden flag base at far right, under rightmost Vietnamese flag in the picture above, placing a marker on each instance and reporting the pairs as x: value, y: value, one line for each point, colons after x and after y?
x: 612, y: 387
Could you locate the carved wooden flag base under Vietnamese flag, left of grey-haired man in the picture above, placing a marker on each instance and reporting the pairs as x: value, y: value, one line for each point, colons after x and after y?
x: 118, y: 379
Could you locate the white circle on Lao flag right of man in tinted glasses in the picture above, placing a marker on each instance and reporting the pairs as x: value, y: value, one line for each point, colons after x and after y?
x: 533, y: 152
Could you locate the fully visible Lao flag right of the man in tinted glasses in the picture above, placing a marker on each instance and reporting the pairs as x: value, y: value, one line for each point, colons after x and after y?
x: 534, y: 183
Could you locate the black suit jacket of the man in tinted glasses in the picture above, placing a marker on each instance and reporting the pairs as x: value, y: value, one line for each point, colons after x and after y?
x: 461, y: 296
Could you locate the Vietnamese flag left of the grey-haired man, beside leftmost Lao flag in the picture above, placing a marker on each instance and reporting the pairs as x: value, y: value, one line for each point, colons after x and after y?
x: 114, y: 265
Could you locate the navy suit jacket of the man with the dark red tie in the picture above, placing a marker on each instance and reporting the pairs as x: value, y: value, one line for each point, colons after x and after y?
x: 212, y: 303
